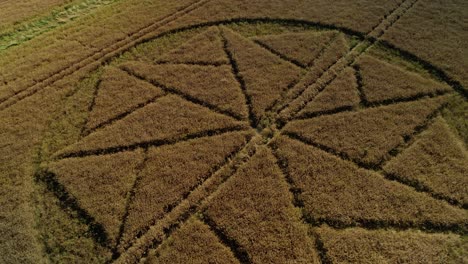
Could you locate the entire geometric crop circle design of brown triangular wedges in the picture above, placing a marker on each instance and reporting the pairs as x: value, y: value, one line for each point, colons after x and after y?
x: 186, y: 157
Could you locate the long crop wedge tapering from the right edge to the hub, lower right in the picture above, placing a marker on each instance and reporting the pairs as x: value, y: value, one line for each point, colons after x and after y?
x: 339, y: 192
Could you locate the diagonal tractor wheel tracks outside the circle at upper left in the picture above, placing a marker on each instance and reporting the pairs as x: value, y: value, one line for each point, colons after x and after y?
x: 99, y: 56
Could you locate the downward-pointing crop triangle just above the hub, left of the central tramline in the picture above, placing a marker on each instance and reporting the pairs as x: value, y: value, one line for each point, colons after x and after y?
x: 266, y: 76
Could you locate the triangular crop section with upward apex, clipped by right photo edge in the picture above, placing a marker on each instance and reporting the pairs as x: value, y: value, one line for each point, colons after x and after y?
x: 437, y: 160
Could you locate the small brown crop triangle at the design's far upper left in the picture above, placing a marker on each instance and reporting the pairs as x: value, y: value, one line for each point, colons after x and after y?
x: 117, y: 94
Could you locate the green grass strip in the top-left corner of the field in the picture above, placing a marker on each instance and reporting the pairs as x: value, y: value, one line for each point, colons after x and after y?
x: 56, y: 18
